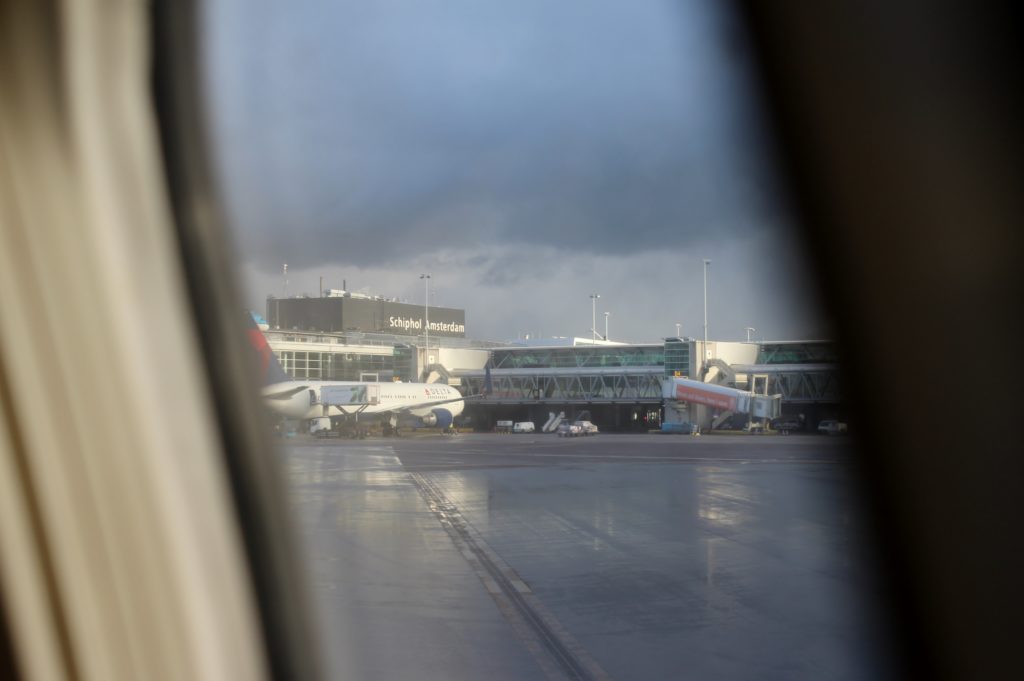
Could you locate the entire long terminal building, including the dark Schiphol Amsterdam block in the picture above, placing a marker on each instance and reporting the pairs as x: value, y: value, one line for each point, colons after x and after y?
x: 622, y: 387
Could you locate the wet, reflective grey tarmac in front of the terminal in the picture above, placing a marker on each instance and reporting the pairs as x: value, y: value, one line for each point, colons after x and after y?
x: 626, y: 558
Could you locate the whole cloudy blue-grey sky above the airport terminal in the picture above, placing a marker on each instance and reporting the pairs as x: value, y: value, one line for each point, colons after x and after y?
x: 526, y: 154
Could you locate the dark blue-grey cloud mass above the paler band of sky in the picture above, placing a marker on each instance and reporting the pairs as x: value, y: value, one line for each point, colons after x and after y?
x: 370, y: 133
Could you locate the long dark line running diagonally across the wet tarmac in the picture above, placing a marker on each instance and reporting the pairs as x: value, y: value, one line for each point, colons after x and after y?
x: 557, y: 652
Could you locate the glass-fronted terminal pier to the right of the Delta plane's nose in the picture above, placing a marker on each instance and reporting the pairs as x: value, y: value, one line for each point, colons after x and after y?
x: 624, y: 387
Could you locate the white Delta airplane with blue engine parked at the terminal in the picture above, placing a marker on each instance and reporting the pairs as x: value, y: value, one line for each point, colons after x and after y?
x: 395, y: 403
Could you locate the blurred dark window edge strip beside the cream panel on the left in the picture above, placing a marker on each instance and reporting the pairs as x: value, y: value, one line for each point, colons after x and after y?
x: 208, y: 257
